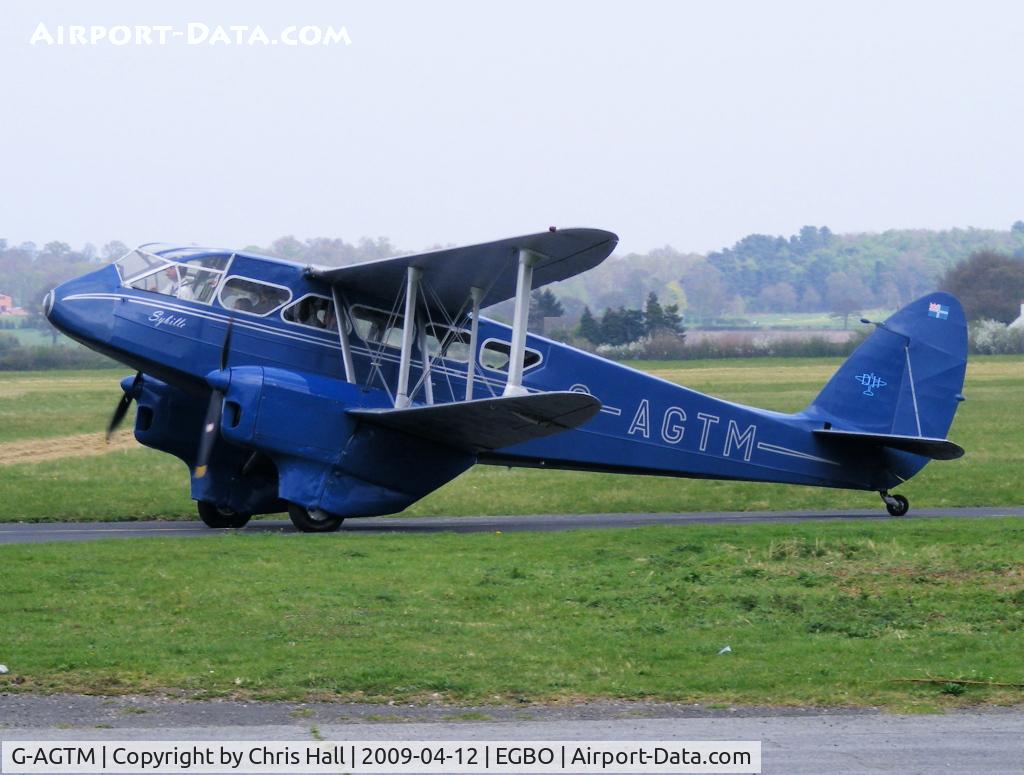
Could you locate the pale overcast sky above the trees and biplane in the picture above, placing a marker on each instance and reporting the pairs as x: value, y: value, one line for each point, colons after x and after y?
x: 685, y: 123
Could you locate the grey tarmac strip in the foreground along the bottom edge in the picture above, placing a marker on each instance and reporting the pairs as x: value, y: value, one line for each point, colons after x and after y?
x: 794, y: 741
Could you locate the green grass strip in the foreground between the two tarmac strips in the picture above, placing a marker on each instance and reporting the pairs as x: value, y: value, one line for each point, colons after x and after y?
x: 830, y: 614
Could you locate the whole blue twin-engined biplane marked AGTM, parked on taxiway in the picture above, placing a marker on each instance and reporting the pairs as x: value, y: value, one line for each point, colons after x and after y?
x: 356, y: 392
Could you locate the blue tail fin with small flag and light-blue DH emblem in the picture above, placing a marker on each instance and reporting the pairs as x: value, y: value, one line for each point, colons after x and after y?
x: 908, y: 376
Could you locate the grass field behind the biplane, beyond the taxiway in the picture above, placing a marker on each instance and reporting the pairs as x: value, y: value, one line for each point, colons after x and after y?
x: 142, y: 484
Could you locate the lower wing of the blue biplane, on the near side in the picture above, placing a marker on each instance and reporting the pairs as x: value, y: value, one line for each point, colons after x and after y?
x: 489, y: 423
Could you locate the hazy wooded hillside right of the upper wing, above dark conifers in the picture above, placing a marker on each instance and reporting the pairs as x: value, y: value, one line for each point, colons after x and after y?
x: 815, y: 271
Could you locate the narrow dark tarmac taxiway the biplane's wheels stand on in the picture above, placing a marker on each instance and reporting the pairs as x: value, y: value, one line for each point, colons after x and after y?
x: 37, y: 533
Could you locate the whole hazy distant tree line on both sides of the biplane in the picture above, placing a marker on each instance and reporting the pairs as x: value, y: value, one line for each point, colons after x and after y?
x: 642, y: 297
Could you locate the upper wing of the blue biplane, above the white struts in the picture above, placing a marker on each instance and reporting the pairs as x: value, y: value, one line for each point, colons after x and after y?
x: 448, y: 275
